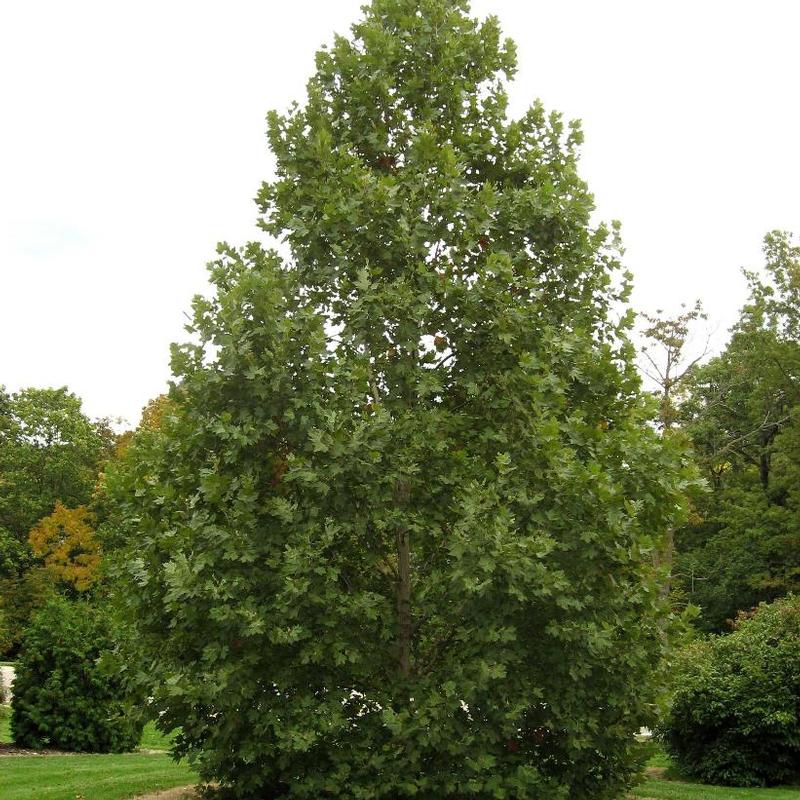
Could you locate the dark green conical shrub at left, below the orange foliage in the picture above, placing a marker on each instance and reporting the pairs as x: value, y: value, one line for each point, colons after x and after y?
x: 62, y: 699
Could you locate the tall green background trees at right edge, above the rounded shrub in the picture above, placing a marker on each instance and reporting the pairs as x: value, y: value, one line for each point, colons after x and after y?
x: 742, y: 417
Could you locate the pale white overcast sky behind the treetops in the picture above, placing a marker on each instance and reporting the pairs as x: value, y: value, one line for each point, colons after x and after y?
x: 132, y: 140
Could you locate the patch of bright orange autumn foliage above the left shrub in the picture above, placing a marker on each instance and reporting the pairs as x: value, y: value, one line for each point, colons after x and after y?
x: 66, y: 542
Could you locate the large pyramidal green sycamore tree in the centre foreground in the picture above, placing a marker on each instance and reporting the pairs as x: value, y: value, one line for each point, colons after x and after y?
x: 393, y: 536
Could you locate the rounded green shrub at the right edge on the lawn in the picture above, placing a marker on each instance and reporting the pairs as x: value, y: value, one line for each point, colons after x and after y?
x: 735, y: 718
